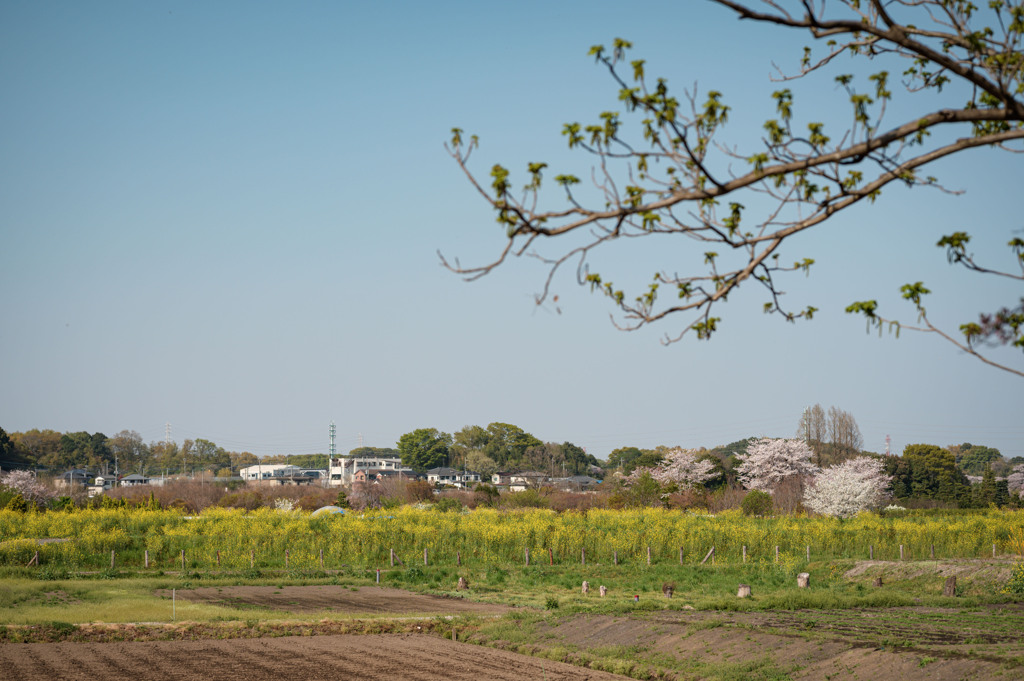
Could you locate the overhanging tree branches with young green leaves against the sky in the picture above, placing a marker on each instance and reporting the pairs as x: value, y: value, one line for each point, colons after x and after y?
x: 661, y: 168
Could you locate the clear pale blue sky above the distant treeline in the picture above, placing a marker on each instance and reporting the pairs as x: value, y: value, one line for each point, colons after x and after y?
x: 226, y: 217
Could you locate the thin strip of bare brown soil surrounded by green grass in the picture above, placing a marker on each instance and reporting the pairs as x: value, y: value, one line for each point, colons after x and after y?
x: 330, y: 599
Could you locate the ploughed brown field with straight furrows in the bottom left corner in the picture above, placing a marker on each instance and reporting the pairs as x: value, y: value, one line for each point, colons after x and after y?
x: 388, y: 657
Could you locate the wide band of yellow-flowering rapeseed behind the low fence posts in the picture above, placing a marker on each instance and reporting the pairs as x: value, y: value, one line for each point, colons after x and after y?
x: 486, y: 536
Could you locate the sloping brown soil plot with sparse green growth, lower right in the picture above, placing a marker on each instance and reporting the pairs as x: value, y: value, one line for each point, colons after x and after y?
x: 856, y: 646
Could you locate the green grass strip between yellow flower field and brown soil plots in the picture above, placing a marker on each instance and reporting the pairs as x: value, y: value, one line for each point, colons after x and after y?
x: 121, y: 597
